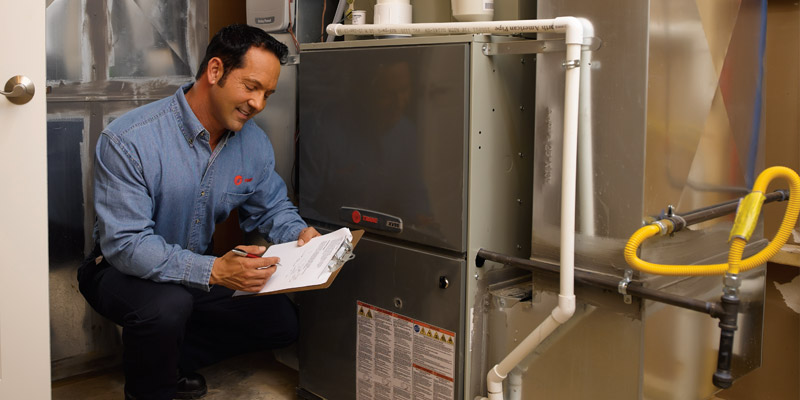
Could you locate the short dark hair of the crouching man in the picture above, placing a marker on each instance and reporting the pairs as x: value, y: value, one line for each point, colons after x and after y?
x: 232, y: 42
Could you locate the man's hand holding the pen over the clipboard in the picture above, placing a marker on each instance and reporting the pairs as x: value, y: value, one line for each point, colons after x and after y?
x: 243, y: 273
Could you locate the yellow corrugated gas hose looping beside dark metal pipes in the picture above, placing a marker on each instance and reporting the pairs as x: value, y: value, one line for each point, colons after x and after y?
x: 746, y: 219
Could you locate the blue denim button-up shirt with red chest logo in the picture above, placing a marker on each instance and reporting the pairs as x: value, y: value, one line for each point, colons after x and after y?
x: 159, y: 190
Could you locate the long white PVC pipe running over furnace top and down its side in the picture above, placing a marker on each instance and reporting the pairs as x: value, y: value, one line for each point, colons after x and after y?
x: 573, y: 30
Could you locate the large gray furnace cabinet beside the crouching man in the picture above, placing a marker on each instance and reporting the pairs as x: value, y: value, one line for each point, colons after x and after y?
x: 426, y: 144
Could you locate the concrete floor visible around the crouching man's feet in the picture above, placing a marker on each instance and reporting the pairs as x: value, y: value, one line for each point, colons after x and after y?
x: 255, y: 376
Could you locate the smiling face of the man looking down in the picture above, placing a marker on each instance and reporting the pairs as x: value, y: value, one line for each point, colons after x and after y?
x: 245, y: 90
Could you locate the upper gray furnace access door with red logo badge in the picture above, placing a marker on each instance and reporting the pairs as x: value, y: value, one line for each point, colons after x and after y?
x: 383, y: 140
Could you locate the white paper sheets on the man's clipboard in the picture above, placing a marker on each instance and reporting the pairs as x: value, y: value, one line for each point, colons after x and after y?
x: 305, y: 265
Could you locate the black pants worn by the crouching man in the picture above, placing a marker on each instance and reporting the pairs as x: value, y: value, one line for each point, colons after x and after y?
x: 167, y: 326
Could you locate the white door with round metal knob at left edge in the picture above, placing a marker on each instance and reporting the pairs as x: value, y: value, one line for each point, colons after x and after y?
x: 24, y: 327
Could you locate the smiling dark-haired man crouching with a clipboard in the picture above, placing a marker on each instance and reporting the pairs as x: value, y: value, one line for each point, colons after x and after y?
x: 165, y: 173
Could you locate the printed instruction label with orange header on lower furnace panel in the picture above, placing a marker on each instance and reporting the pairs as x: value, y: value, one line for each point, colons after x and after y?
x: 401, y: 358
